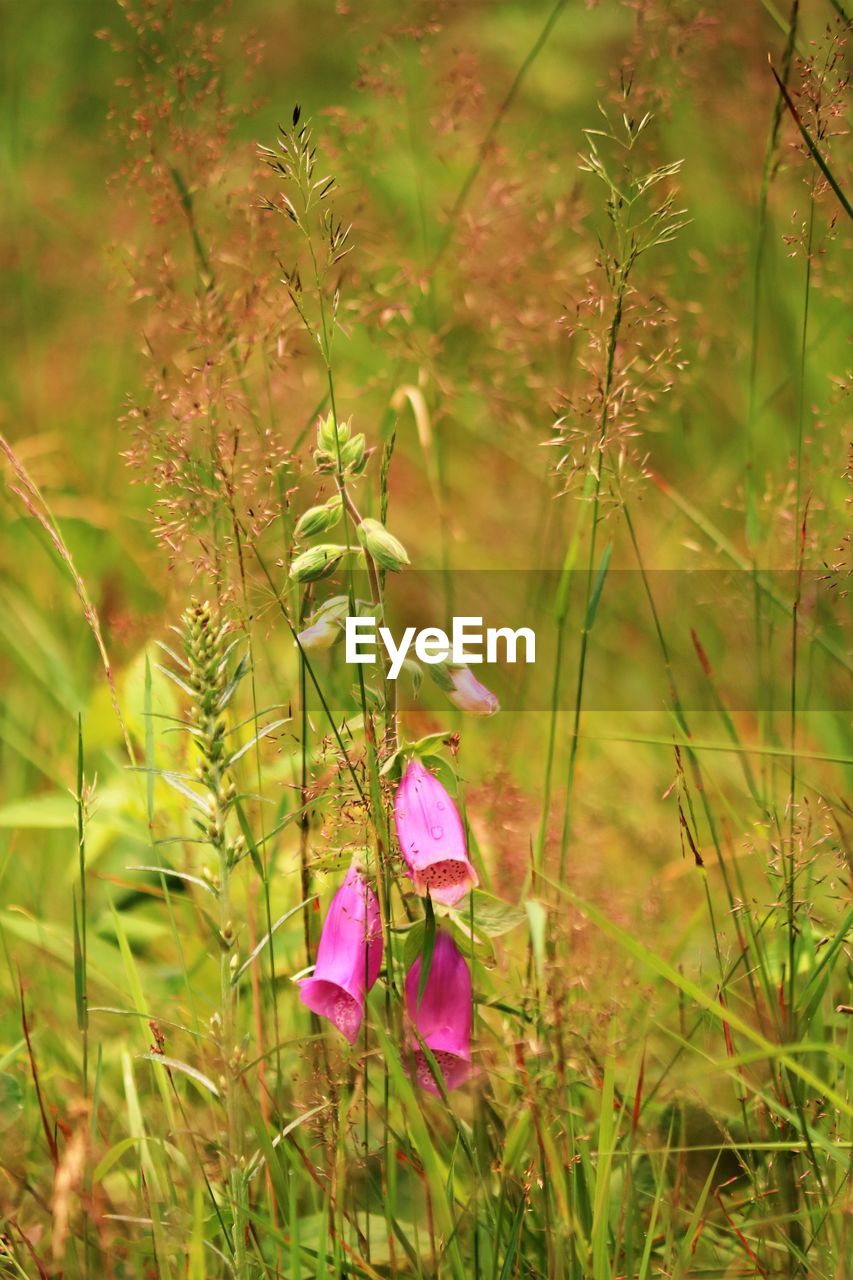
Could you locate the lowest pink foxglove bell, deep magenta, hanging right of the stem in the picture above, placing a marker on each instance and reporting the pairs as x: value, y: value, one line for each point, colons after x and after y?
x: 444, y: 1016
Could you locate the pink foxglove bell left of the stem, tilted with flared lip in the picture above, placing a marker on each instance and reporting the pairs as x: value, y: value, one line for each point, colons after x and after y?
x: 349, y: 957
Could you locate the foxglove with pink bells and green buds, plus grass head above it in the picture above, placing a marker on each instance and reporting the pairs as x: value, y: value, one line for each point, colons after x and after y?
x: 430, y: 829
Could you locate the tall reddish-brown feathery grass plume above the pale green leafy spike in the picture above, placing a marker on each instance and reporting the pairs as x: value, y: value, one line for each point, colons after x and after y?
x: 203, y: 271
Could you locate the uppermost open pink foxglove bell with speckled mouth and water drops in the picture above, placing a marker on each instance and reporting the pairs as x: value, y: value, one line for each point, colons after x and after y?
x: 432, y: 838
